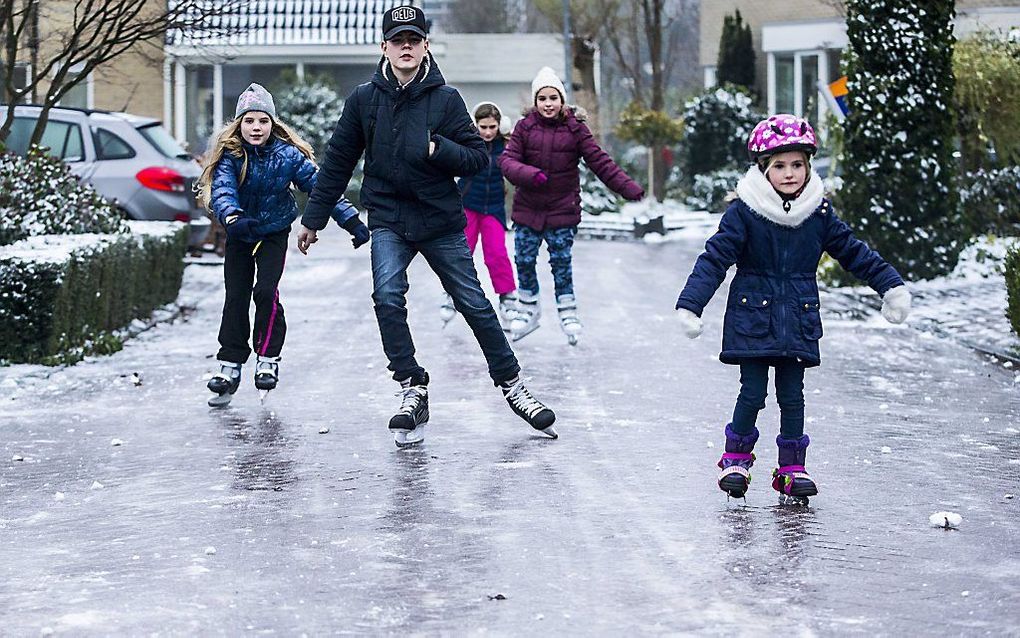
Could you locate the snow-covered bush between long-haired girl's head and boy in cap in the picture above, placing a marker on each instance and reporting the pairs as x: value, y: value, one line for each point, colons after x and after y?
x: 313, y: 110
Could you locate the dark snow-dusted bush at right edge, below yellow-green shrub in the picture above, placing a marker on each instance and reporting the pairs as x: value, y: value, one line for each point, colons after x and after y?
x: 991, y: 201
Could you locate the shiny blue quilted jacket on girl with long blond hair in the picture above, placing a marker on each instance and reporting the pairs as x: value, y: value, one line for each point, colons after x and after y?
x: 266, y: 193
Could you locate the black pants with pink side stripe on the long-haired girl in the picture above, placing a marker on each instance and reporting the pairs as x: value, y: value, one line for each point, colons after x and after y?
x: 240, y: 268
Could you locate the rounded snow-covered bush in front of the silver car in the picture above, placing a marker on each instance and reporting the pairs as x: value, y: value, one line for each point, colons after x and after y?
x: 39, y: 197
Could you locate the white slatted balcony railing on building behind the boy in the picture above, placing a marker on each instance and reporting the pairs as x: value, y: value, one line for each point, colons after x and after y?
x: 288, y: 23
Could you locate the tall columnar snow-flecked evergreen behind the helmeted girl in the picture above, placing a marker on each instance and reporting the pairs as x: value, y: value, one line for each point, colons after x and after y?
x: 900, y: 188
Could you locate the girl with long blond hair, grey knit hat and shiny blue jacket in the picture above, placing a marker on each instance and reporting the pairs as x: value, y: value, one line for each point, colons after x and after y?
x: 247, y: 183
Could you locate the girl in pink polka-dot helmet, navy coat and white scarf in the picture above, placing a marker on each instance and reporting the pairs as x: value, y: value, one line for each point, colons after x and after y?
x: 776, y: 233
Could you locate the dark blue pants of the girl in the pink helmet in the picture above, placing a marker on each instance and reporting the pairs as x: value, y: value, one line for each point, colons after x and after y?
x: 789, y: 394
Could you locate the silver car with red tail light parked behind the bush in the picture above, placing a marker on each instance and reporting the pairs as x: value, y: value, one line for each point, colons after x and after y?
x: 129, y: 160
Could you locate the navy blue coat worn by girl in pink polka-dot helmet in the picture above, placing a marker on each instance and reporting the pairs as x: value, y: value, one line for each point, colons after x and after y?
x: 773, y: 310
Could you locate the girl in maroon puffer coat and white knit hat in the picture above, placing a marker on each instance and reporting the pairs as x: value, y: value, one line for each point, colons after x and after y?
x: 542, y: 161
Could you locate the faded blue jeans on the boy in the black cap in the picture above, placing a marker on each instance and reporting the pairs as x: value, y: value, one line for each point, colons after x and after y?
x: 451, y: 261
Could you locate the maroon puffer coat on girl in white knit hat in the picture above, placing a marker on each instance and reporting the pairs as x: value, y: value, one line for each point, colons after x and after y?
x: 555, y: 148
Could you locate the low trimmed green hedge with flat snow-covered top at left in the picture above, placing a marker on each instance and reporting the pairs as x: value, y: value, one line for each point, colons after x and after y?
x: 63, y: 298
